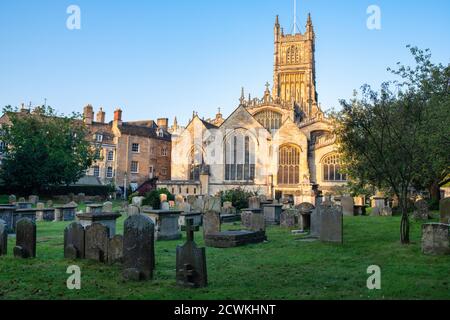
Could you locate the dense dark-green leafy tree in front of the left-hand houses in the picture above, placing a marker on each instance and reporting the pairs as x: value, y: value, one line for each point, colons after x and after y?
x: 43, y: 149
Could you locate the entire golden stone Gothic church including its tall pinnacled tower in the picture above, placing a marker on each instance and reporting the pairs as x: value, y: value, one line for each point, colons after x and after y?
x: 280, y: 145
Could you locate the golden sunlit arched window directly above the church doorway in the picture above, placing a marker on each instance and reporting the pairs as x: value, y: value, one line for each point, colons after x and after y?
x: 289, y: 165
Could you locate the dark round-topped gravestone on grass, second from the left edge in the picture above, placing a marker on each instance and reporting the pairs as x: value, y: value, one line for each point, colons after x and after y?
x: 25, y: 239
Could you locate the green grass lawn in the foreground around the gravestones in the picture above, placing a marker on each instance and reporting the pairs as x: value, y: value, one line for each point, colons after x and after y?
x: 283, y: 268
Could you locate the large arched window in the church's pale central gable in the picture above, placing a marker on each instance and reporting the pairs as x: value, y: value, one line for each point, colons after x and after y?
x: 239, y: 157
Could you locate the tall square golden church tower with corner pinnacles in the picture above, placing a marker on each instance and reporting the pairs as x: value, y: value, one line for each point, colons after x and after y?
x: 294, y: 68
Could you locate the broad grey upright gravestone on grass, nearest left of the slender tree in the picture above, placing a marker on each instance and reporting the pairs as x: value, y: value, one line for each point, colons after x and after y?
x: 331, y: 223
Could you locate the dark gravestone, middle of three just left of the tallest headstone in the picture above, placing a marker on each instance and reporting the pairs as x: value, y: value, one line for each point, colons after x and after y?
x: 96, y: 242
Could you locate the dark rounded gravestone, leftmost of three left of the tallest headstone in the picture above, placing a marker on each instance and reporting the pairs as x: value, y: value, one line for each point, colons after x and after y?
x: 74, y: 244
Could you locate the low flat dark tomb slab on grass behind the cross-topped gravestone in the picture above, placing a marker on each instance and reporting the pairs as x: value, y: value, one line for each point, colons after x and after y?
x: 232, y: 239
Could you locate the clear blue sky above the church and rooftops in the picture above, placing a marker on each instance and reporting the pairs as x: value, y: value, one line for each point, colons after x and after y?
x: 167, y: 58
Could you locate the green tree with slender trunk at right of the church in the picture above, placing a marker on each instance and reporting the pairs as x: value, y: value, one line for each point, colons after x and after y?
x: 394, y: 140
